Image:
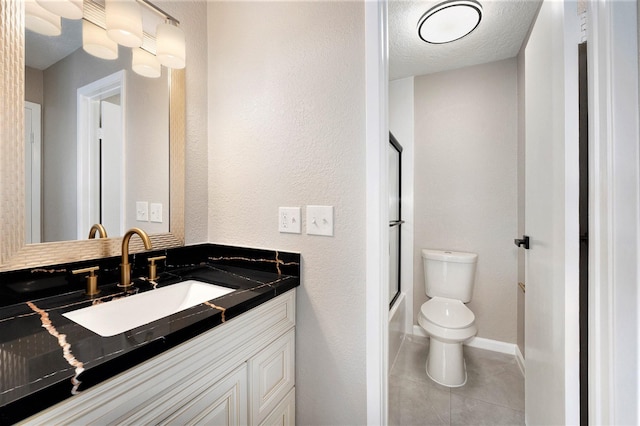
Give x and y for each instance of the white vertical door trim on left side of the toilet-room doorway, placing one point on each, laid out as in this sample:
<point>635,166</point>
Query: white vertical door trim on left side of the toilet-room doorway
<point>377,210</point>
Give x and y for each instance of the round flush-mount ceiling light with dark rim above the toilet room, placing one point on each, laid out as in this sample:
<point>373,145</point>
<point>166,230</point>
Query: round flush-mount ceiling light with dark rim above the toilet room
<point>449,21</point>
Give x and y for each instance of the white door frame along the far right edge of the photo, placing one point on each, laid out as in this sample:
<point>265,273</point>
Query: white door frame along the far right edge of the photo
<point>614,228</point>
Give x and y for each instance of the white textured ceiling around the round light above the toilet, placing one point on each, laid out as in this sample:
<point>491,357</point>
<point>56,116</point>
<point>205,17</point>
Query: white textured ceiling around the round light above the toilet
<point>504,25</point>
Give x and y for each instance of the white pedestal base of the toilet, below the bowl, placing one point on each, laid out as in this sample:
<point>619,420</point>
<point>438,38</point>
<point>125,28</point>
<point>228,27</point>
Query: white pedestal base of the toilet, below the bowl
<point>445,364</point>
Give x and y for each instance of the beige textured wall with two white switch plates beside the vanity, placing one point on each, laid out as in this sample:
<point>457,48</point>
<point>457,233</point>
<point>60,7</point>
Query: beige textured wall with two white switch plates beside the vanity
<point>287,128</point>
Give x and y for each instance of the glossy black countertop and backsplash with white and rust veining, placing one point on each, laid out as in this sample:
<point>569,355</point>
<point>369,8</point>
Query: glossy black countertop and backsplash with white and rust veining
<point>46,358</point>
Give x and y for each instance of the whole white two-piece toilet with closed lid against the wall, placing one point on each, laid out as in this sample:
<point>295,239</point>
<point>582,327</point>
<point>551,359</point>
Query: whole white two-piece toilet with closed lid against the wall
<point>448,280</point>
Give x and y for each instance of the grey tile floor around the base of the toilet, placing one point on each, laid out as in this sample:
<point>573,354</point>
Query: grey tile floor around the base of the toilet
<point>493,394</point>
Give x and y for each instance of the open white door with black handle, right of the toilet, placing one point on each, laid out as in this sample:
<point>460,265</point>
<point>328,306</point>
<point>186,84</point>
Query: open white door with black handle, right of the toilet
<point>551,217</point>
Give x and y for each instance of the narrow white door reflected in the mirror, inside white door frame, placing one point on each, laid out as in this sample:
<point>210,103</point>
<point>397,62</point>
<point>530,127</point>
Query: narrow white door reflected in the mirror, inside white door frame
<point>111,170</point>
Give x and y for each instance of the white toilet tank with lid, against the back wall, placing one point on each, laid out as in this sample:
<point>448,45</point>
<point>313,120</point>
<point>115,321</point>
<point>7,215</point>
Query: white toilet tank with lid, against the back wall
<point>449,273</point>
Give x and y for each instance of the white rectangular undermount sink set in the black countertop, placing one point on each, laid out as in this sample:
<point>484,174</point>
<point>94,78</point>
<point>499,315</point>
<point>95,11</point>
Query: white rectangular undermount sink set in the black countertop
<point>117,316</point>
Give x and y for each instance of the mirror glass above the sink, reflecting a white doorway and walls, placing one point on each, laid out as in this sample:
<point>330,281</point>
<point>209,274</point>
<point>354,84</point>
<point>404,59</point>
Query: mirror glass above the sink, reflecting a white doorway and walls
<point>97,135</point>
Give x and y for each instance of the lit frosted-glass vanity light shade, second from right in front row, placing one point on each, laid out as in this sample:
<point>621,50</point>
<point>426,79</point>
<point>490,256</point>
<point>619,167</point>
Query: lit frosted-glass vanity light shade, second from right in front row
<point>124,22</point>
